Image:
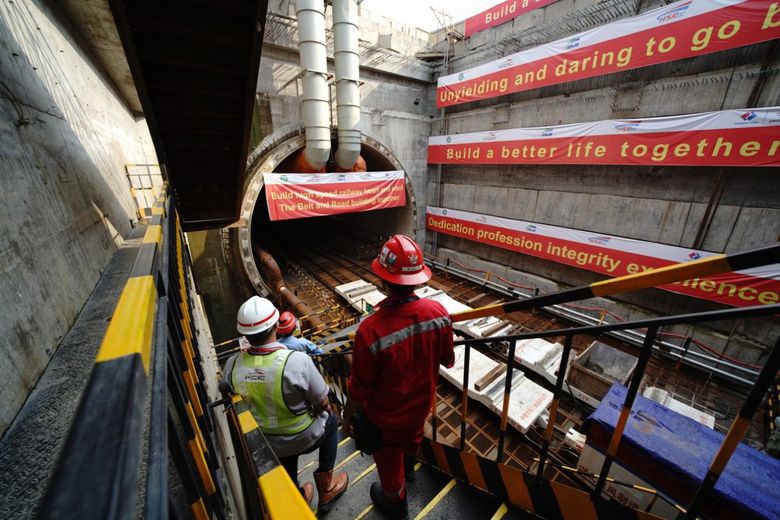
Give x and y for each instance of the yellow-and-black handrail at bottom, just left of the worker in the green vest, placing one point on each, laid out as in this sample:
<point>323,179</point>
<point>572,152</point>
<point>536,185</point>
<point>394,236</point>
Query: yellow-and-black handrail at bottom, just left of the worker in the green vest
<point>269,491</point>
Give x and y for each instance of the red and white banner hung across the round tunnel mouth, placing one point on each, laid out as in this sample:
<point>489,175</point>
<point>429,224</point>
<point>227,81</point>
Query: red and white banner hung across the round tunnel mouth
<point>296,195</point>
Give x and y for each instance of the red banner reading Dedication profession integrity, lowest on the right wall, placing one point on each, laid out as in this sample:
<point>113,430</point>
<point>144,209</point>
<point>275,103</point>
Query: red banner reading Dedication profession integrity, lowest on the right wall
<point>610,255</point>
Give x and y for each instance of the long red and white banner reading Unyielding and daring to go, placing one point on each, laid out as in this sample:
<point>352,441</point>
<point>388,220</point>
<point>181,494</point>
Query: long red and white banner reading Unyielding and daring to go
<point>674,32</point>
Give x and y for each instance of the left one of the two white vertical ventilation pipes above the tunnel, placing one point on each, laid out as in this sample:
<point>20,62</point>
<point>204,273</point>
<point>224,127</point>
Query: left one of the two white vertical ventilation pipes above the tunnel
<point>315,101</point>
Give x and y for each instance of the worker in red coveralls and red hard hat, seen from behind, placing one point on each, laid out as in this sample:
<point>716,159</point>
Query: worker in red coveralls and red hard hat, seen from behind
<point>396,359</point>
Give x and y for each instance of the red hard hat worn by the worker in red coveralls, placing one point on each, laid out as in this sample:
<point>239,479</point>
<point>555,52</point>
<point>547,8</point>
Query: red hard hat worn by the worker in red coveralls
<point>401,262</point>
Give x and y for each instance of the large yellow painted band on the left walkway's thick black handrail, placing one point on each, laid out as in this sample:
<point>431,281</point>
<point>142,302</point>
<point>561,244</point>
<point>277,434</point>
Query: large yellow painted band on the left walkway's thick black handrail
<point>130,330</point>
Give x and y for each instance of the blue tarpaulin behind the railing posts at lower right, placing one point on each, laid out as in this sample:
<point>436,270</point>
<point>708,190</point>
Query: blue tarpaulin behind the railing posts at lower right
<point>669,450</point>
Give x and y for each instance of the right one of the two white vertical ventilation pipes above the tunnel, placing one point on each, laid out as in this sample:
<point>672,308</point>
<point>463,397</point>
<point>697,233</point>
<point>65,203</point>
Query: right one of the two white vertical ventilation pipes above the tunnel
<point>347,81</point>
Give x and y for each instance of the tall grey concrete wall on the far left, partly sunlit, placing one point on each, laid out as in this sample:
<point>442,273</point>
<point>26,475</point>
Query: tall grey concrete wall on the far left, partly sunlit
<point>65,204</point>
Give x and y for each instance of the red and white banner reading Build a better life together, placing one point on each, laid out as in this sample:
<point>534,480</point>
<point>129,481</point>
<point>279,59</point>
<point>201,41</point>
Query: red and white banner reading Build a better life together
<point>727,138</point>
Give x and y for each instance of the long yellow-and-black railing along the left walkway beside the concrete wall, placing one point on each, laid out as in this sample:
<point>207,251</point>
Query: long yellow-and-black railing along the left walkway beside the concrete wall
<point>150,338</point>
